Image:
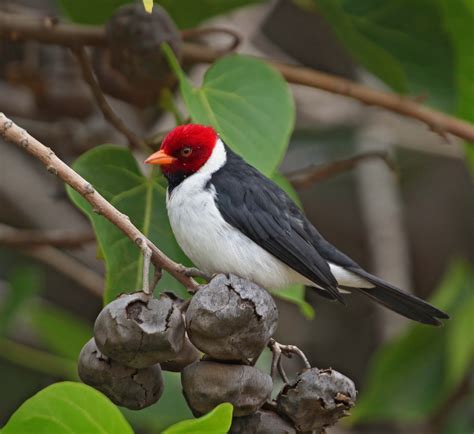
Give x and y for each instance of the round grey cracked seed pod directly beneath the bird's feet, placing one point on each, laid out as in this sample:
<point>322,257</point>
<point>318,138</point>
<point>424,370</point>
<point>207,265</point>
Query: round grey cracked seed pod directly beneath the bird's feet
<point>231,319</point>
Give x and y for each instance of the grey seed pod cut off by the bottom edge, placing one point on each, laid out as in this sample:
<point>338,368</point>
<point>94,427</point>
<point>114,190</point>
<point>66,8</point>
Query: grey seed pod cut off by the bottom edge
<point>261,422</point>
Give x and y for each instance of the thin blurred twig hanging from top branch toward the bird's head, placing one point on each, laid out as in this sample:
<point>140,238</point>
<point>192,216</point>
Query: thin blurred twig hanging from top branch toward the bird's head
<point>109,114</point>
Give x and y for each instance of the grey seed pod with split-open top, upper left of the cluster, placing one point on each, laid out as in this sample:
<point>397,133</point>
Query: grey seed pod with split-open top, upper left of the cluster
<point>138,330</point>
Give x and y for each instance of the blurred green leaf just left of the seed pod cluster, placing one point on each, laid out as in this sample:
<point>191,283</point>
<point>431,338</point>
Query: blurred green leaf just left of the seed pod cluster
<point>60,331</point>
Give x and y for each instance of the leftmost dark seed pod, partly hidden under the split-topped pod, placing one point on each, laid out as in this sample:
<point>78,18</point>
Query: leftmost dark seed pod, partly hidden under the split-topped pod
<point>125,386</point>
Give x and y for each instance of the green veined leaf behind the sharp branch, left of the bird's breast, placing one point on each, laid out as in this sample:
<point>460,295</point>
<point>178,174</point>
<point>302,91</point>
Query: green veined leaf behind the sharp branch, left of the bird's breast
<point>114,172</point>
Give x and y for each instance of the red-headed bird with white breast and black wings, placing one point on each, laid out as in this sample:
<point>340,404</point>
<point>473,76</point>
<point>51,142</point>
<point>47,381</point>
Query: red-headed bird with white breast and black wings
<point>228,217</point>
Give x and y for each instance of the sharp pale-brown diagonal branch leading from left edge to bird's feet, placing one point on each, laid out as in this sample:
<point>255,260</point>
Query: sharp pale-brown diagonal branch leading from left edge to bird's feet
<point>18,136</point>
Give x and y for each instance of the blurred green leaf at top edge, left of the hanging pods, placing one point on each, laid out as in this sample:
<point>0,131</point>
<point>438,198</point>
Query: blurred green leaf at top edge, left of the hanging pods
<point>90,11</point>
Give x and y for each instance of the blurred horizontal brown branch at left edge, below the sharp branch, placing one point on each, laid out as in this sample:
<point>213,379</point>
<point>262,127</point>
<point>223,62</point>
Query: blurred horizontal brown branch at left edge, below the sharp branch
<point>10,236</point>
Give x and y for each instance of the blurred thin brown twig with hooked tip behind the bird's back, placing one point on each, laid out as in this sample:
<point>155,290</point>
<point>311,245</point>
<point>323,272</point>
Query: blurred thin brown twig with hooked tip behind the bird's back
<point>302,179</point>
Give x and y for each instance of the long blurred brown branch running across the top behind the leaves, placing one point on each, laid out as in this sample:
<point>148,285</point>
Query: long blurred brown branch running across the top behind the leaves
<point>18,26</point>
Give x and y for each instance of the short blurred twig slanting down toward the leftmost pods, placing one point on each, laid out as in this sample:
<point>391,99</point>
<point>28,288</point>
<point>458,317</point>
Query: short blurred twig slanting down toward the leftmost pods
<point>67,265</point>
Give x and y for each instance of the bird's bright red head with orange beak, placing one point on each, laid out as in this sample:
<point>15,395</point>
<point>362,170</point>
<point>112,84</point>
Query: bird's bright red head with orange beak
<point>185,149</point>
